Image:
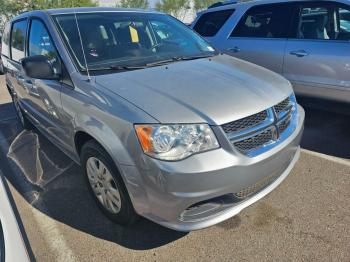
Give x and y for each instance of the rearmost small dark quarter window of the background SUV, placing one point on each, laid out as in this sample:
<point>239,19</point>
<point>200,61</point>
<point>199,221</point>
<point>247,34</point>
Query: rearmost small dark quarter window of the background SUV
<point>209,24</point>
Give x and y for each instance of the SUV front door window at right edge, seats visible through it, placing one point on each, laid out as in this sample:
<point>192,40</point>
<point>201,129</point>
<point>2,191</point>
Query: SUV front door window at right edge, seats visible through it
<point>324,22</point>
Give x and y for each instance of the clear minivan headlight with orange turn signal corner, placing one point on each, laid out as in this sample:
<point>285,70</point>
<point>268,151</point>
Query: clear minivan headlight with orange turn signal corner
<point>175,142</point>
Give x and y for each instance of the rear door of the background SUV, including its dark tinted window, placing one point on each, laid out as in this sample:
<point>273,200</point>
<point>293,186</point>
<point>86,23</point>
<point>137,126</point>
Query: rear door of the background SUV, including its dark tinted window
<point>260,36</point>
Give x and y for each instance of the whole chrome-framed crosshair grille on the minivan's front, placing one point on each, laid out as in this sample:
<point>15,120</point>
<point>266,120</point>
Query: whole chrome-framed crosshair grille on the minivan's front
<point>260,137</point>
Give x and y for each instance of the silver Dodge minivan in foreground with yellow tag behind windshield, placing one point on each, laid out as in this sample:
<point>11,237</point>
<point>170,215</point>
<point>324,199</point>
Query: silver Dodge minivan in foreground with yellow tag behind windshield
<point>163,125</point>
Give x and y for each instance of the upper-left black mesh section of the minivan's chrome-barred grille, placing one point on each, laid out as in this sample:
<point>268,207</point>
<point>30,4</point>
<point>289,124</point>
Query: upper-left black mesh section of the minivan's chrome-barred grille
<point>245,123</point>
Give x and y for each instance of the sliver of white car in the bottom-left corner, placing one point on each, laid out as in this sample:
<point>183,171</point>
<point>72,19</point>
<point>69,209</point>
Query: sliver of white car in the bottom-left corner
<point>12,247</point>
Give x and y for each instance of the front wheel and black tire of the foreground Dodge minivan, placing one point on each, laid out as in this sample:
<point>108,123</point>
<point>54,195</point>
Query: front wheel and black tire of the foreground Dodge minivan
<point>92,152</point>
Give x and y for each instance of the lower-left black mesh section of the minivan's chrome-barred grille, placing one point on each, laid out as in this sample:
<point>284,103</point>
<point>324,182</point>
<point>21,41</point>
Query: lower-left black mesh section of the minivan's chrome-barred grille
<point>255,142</point>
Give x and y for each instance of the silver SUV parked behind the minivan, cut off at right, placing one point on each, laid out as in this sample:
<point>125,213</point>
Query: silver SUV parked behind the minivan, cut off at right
<point>305,41</point>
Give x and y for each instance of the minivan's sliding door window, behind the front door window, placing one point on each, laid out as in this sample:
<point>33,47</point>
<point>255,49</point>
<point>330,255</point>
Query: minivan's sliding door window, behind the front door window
<point>18,37</point>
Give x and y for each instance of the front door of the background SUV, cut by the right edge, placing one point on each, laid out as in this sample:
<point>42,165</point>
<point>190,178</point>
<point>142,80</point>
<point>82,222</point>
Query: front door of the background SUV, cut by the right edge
<point>317,58</point>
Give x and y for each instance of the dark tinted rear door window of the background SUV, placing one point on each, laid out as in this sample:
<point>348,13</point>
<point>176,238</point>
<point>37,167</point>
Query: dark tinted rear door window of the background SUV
<point>266,21</point>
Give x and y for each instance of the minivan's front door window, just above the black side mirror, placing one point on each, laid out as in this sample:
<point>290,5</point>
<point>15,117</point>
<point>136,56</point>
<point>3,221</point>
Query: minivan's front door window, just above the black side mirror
<point>40,43</point>
